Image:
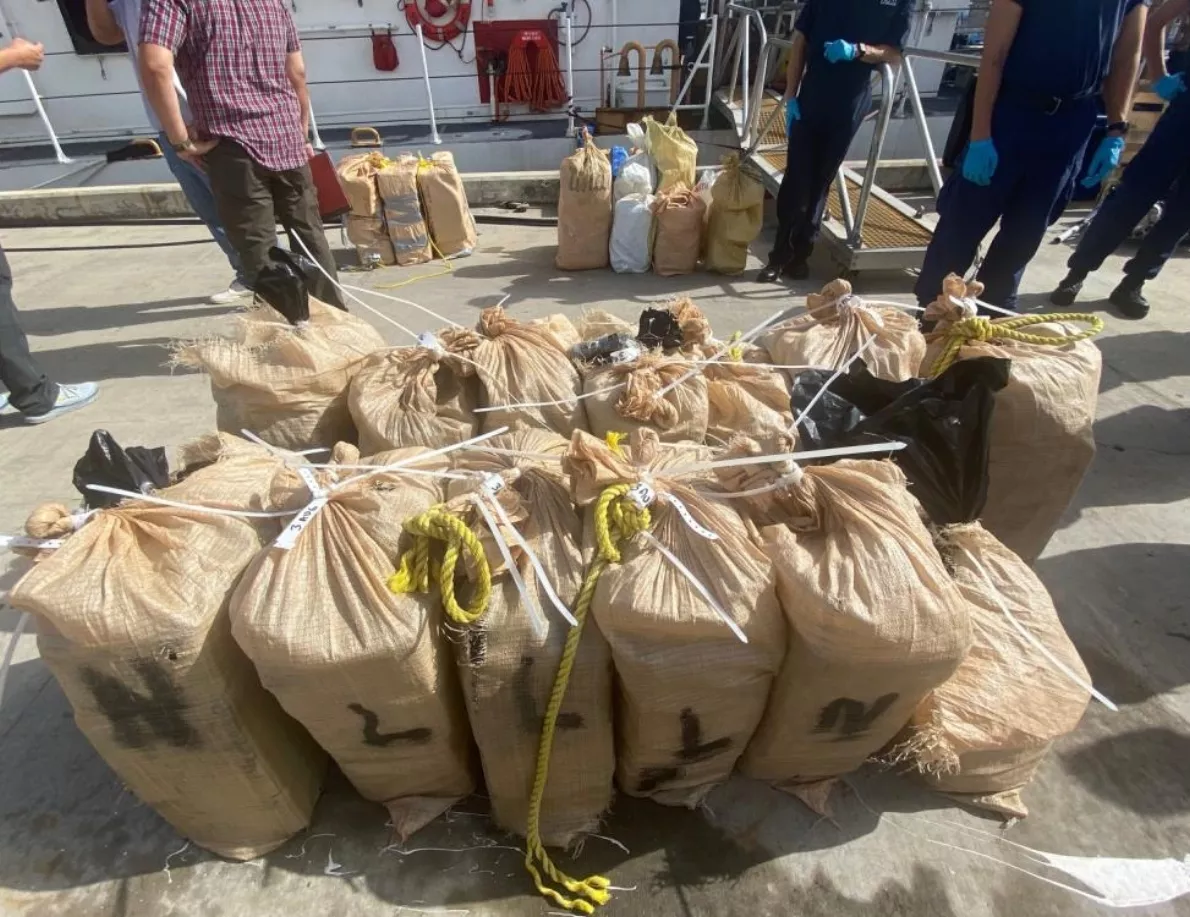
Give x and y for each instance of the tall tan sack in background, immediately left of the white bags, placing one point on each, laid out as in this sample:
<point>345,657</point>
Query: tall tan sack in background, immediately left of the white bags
<point>585,210</point>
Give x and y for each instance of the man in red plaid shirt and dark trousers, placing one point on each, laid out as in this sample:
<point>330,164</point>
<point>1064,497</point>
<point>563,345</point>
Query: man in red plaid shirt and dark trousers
<point>241,65</point>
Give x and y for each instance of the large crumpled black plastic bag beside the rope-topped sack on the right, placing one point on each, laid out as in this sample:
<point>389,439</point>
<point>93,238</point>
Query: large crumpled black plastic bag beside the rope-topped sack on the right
<point>945,423</point>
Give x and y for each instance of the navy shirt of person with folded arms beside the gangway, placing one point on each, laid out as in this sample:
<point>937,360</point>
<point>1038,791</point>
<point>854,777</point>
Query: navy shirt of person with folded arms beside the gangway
<point>843,91</point>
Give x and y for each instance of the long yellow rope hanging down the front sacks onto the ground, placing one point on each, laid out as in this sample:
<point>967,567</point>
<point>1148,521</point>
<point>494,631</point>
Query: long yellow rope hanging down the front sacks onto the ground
<point>617,520</point>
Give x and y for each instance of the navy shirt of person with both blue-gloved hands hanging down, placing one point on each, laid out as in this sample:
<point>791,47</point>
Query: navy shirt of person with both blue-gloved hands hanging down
<point>1063,48</point>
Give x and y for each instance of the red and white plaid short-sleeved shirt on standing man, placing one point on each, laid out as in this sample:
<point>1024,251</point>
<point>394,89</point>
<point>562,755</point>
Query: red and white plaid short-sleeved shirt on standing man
<point>231,59</point>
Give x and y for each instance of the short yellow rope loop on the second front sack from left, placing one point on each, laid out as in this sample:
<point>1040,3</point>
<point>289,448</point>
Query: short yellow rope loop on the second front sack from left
<point>415,573</point>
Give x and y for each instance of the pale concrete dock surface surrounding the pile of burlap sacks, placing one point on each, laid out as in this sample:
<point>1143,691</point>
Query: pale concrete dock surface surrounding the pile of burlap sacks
<point>103,304</point>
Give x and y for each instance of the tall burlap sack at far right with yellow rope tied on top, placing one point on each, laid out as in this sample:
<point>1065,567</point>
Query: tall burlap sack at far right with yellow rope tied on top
<point>1043,432</point>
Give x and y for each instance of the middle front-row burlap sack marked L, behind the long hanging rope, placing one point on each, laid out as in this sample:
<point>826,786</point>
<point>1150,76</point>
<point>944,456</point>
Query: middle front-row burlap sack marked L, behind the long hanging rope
<point>509,665</point>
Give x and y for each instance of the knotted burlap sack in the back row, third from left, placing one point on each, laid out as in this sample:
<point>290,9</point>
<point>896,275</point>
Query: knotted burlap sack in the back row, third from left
<point>529,363</point>
